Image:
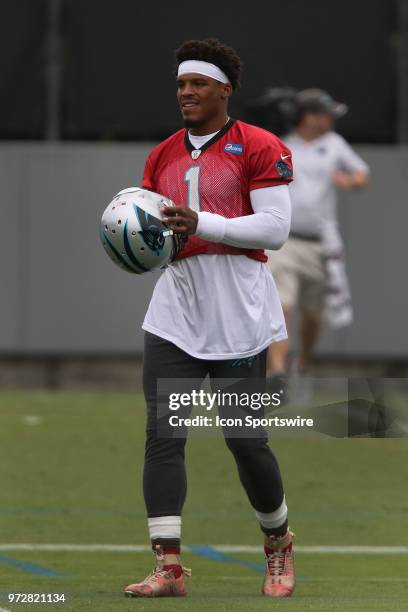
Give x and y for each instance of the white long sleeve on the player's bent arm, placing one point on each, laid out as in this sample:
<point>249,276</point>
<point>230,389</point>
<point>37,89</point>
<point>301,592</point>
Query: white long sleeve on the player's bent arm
<point>268,228</point>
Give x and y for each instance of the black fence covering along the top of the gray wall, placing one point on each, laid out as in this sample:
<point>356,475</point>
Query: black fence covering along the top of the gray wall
<point>87,69</point>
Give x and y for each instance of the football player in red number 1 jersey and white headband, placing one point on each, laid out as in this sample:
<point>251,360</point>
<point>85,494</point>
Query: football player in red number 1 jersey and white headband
<point>216,309</point>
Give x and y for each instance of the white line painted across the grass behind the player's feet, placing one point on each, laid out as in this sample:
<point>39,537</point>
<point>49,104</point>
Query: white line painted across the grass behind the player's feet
<point>125,548</point>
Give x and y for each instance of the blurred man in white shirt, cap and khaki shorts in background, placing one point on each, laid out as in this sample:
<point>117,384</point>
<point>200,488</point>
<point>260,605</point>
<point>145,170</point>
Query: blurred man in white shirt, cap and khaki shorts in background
<point>324,161</point>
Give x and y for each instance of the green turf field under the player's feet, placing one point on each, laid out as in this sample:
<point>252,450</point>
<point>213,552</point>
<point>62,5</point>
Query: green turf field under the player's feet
<point>70,473</point>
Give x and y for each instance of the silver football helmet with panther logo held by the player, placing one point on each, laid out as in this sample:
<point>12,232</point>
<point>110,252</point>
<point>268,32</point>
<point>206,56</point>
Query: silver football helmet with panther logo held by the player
<point>133,234</point>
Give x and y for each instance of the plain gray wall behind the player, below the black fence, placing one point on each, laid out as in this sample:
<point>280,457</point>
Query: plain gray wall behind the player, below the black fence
<point>60,293</point>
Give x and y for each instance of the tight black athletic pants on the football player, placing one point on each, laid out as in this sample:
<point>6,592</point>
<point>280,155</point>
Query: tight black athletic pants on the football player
<point>164,479</point>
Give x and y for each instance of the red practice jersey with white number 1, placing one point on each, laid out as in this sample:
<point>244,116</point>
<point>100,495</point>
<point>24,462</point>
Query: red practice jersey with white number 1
<point>218,177</point>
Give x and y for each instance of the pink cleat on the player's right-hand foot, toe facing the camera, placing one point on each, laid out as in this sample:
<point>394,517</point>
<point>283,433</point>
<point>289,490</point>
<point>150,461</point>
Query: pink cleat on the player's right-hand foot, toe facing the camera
<point>280,574</point>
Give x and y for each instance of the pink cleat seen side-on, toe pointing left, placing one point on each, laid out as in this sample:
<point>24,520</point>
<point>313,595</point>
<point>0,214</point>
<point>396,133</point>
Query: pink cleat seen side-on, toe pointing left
<point>160,582</point>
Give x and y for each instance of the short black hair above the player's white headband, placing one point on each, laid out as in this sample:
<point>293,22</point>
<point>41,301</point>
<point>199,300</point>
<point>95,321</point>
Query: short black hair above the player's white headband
<point>213,51</point>
